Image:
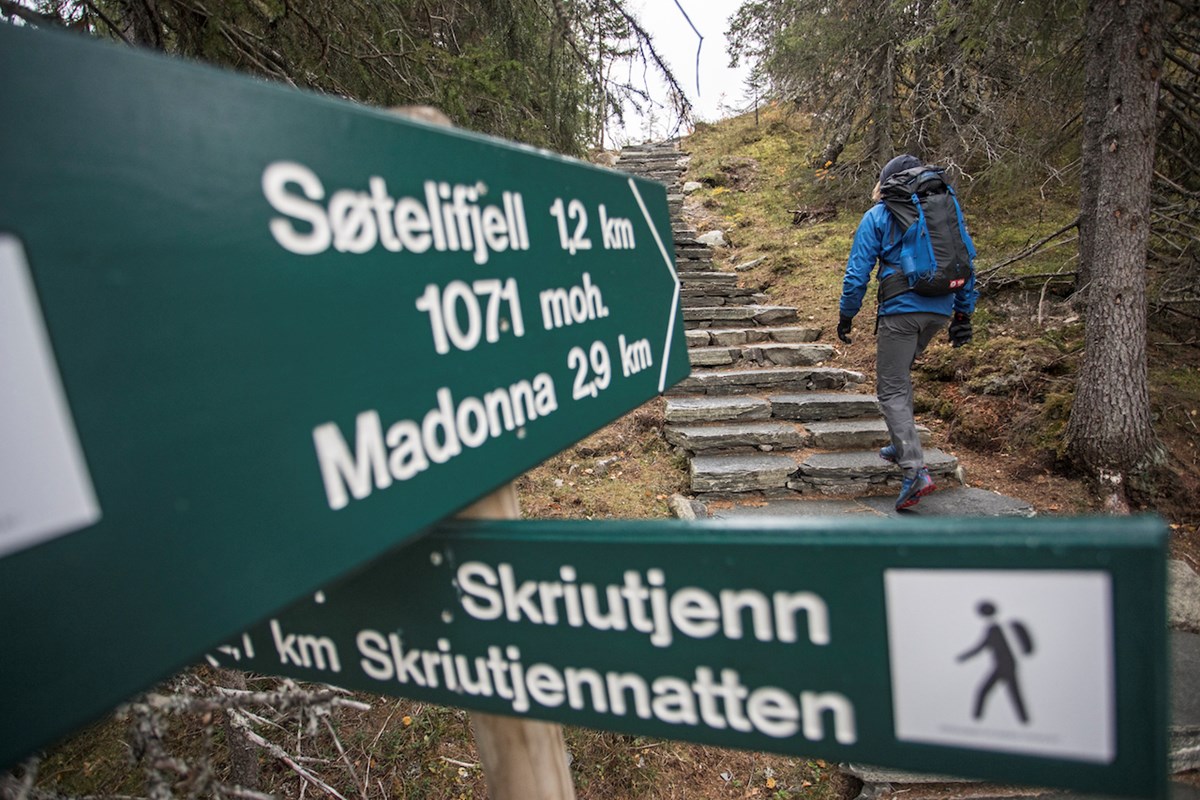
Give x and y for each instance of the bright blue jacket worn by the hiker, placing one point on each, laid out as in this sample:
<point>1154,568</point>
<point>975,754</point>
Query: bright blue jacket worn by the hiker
<point>878,242</point>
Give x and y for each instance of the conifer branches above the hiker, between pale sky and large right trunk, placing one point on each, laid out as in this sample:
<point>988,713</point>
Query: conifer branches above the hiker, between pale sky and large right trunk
<point>963,81</point>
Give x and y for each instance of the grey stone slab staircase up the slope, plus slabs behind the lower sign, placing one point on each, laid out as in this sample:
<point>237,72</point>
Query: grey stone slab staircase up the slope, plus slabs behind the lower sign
<point>771,430</point>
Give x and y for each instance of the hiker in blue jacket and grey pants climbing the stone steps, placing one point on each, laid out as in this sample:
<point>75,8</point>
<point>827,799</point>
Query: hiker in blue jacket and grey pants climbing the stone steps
<point>908,317</point>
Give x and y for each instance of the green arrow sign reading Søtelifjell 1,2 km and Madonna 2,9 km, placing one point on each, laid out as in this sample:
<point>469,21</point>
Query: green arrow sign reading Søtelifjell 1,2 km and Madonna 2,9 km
<point>255,338</point>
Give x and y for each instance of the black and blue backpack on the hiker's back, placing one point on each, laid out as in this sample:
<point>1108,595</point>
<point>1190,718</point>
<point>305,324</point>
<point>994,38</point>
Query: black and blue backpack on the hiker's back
<point>937,252</point>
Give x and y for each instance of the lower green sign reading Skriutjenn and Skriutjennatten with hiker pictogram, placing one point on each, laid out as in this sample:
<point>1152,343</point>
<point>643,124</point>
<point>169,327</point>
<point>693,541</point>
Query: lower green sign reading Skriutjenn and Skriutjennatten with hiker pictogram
<point>1006,649</point>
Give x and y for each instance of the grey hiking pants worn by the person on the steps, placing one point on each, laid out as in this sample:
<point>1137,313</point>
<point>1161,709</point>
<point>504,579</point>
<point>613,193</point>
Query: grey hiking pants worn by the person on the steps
<point>899,341</point>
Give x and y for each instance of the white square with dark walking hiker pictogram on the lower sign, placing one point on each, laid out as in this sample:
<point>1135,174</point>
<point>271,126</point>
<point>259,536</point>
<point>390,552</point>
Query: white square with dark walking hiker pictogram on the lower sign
<point>1006,661</point>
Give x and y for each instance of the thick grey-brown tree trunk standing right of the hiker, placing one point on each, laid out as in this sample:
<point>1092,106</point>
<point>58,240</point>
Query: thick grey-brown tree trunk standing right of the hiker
<point>1109,435</point>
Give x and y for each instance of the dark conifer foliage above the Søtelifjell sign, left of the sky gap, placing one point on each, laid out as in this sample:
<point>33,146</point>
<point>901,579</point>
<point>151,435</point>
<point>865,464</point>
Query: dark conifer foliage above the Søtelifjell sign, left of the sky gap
<point>547,73</point>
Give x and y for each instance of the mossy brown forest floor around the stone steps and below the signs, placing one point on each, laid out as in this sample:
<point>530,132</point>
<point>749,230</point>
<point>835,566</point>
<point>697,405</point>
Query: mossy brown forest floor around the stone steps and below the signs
<point>999,405</point>
